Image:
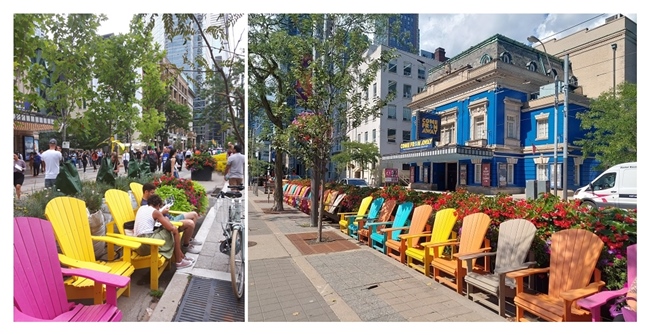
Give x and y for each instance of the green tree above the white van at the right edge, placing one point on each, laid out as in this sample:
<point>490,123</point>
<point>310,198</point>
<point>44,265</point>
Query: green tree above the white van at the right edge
<point>610,127</point>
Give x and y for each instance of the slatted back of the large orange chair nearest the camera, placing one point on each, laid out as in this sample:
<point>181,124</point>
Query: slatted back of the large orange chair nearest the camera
<point>574,253</point>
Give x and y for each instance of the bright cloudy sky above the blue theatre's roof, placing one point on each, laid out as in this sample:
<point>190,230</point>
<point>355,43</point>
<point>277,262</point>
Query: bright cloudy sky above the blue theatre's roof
<point>458,32</point>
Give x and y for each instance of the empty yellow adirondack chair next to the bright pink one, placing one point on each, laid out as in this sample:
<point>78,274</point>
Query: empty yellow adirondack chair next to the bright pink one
<point>69,220</point>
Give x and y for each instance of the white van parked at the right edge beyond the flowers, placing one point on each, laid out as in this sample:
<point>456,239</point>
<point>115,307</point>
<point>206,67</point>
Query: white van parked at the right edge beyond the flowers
<point>615,187</point>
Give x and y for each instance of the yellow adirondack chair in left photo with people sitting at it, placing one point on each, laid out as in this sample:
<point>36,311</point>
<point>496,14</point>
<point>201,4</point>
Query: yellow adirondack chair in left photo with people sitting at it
<point>119,204</point>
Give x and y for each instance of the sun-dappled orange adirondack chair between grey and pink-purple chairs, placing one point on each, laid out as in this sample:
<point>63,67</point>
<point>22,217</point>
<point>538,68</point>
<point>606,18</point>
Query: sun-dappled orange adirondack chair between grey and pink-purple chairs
<point>574,253</point>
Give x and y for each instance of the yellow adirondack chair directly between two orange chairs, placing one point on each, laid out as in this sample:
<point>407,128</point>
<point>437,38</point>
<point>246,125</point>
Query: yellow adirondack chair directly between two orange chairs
<point>418,256</point>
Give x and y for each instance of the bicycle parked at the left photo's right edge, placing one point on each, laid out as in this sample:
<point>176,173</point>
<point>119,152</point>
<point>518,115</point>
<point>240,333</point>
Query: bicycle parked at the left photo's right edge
<point>233,230</point>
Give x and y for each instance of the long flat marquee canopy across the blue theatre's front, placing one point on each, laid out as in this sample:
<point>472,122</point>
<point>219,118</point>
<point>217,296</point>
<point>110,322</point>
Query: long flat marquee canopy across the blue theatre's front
<point>440,154</point>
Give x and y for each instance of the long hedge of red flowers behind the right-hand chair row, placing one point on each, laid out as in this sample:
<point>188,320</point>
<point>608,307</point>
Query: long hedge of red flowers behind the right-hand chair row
<point>616,227</point>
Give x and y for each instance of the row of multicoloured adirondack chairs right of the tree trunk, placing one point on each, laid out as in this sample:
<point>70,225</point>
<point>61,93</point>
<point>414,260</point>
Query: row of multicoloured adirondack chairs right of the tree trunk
<point>574,280</point>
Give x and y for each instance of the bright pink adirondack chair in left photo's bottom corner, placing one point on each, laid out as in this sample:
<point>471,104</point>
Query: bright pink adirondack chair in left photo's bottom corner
<point>39,293</point>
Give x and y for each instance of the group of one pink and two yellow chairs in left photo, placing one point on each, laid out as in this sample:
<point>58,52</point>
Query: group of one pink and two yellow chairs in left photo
<point>43,293</point>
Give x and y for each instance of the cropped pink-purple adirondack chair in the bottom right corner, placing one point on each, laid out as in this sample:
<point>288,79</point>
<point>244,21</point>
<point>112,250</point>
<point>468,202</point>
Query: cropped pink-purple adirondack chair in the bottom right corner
<point>594,302</point>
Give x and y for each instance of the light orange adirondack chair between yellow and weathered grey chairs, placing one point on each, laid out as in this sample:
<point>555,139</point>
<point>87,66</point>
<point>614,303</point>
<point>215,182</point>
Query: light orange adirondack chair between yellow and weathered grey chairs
<point>472,236</point>
